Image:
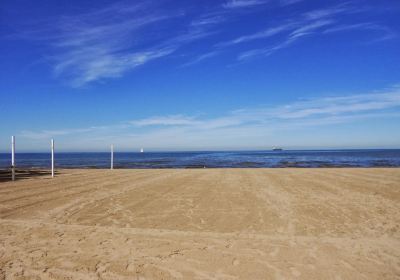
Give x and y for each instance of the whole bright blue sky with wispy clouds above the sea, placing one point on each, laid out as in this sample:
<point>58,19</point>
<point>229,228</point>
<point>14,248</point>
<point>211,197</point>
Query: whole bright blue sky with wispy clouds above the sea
<point>199,75</point>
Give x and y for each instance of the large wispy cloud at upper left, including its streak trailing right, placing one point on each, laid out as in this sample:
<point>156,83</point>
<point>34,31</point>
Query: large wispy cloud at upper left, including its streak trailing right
<point>109,42</point>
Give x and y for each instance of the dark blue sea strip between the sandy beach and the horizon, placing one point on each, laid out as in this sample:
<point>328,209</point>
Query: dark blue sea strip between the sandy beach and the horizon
<point>317,158</point>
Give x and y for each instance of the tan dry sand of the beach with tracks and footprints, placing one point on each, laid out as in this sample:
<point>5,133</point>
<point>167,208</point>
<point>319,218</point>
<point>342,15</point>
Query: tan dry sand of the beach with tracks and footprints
<point>202,224</point>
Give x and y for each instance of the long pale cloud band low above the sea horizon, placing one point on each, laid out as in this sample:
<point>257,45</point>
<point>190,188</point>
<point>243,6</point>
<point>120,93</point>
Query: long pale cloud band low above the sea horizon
<point>239,126</point>
